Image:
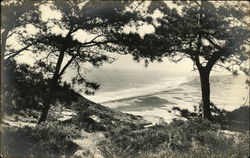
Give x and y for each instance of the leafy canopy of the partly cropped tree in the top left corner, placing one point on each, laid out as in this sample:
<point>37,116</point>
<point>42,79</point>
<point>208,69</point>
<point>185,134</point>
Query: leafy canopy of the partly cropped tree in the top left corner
<point>16,14</point>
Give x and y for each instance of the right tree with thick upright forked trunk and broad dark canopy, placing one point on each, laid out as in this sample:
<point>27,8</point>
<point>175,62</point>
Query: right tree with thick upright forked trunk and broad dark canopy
<point>212,34</point>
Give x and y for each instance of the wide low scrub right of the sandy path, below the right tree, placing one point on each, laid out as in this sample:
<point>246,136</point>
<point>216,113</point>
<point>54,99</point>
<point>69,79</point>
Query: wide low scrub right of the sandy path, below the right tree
<point>195,138</point>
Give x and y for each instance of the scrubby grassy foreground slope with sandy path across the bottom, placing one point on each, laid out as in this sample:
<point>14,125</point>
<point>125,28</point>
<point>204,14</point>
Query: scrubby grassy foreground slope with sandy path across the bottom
<point>112,137</point>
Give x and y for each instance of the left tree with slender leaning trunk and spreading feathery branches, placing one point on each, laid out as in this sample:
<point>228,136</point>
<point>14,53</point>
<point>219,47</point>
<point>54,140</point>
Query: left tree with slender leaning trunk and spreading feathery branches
<point>59,51</point>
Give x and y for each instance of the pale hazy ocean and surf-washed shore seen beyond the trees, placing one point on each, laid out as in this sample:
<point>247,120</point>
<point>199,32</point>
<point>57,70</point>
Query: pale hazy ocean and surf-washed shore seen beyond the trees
<point>152,94</point>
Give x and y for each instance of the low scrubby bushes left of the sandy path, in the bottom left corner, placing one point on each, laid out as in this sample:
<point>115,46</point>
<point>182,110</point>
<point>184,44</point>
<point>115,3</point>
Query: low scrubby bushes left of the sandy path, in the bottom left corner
<point>46,140</point>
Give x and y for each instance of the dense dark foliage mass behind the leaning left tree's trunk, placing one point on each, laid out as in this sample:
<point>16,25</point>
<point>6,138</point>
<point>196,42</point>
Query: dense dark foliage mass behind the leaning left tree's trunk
<point>25,88</point>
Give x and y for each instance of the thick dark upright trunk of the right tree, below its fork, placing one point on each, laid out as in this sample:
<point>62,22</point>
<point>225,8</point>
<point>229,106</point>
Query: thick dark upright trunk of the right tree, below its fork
<point>205,90</point>
